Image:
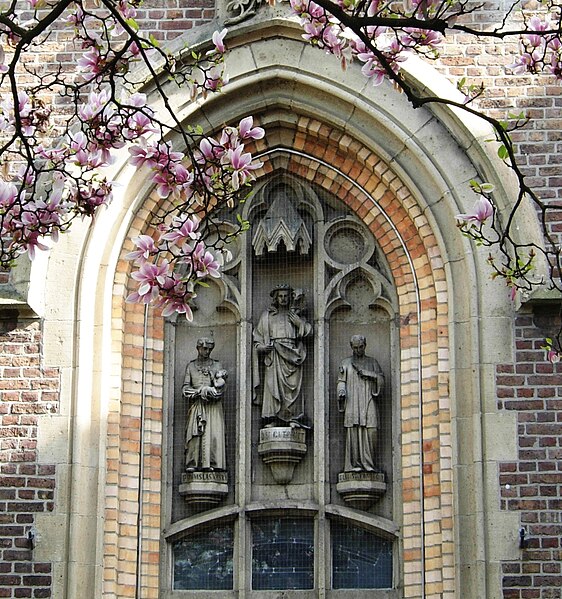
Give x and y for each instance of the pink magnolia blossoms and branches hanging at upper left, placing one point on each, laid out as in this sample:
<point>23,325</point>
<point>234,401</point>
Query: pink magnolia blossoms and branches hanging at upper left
<point>53,164</point>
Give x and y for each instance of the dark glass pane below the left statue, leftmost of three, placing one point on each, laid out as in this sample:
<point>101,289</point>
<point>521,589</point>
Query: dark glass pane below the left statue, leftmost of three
<point>204,560</point>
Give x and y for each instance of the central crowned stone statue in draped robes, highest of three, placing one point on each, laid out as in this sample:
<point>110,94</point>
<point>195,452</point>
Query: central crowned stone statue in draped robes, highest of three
<point>279,348</point>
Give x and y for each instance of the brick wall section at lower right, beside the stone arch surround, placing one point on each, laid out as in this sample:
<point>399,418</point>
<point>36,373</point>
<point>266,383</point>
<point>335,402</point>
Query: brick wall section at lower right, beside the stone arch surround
<point>532,485</point>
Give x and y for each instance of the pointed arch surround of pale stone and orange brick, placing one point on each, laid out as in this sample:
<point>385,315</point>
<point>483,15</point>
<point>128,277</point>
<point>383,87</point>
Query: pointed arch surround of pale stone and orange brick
<point>394,171</point>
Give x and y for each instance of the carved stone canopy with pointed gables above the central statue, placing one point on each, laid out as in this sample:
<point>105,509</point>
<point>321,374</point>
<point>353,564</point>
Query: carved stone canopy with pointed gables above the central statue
<point>281,223</point>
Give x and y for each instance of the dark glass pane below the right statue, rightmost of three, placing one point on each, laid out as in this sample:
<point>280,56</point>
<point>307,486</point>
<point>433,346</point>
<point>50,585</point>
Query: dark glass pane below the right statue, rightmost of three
<point>360,559</point>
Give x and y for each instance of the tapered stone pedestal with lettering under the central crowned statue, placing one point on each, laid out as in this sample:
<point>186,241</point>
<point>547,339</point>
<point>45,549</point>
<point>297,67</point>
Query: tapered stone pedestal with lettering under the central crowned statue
<point>282,448</point>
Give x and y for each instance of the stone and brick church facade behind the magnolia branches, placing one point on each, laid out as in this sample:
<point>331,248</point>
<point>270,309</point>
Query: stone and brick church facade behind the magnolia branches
<point>353,216</point>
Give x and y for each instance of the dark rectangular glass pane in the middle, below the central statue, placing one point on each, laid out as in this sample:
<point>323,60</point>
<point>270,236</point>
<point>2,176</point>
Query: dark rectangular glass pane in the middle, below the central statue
<point>282,553</point>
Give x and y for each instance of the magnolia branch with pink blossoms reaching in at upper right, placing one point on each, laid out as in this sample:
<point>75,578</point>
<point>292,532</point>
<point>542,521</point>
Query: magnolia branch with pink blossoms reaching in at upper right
<point>382,34</point>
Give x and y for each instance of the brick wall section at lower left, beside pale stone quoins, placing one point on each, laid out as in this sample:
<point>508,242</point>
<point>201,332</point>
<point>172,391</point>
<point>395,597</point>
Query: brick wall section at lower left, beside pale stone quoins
<point>27,390</point>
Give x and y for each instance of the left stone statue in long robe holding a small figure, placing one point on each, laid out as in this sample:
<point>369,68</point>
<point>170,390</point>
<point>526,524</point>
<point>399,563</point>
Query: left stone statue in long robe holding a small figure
<point>203,386</point>
